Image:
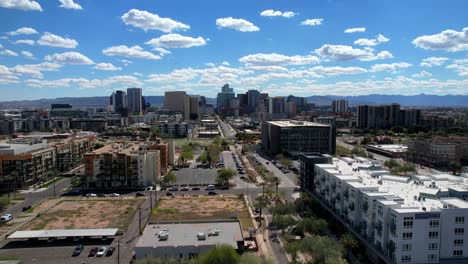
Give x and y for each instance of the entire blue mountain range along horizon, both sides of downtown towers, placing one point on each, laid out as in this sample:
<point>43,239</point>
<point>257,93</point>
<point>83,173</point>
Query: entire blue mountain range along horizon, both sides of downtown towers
<point>404,100</point>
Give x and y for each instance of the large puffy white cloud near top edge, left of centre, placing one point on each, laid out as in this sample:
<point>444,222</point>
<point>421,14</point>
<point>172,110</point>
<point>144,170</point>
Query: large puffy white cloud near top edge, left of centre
<point>146,21</point>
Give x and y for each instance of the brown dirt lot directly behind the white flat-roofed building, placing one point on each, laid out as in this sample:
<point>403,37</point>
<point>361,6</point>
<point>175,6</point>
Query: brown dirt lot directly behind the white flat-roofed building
<point>203,208</point>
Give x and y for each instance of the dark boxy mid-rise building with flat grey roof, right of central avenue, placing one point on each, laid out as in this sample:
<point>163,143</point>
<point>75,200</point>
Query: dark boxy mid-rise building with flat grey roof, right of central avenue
<point>295,137</point>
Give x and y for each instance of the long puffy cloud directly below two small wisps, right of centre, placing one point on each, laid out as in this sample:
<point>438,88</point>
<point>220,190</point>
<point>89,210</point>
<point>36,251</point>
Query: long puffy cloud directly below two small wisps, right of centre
<point>348,53</point>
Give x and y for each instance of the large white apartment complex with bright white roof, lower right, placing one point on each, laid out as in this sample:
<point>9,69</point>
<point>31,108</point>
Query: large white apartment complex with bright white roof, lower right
<point>418,219</point>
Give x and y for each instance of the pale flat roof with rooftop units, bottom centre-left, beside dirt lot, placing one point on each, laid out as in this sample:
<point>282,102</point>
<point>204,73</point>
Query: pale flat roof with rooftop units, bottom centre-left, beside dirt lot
<point>185,234</point>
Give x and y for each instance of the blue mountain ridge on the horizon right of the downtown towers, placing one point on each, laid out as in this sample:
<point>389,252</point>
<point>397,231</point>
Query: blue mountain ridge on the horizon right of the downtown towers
<point>404,100</point>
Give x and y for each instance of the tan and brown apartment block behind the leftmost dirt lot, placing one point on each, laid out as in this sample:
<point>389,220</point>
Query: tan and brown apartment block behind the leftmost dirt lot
<point>128,165</point>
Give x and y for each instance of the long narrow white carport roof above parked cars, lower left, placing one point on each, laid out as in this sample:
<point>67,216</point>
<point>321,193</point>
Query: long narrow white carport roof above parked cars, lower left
<point>63,233</point>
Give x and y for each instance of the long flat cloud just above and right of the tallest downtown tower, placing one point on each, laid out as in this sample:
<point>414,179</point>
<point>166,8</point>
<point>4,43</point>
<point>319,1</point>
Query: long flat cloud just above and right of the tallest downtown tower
<point>274,59</point>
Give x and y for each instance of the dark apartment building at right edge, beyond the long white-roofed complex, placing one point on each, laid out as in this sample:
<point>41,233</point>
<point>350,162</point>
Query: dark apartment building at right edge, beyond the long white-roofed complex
<point>436,151</point>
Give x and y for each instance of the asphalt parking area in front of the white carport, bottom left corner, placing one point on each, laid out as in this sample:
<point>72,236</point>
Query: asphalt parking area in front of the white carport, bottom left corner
<point>58,252</point>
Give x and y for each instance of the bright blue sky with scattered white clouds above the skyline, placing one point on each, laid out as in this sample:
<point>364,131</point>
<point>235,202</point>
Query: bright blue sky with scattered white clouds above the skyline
<point>58,48</point>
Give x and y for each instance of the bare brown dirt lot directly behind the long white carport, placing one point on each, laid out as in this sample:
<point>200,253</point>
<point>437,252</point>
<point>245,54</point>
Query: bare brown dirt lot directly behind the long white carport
<point>87,213</point>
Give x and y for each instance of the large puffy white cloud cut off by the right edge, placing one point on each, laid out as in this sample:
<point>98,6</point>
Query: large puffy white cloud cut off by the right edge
<point>449,40</point>
